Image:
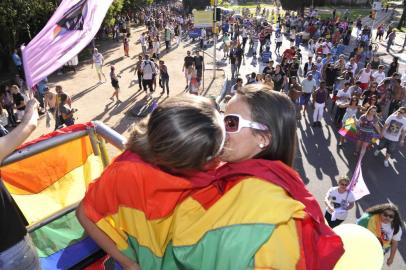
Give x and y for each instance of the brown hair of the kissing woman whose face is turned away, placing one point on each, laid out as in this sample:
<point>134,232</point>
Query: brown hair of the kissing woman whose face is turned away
<point>184,132</point>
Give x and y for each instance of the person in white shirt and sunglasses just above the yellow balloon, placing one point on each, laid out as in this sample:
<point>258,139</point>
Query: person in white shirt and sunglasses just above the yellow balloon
<point>338,201</point>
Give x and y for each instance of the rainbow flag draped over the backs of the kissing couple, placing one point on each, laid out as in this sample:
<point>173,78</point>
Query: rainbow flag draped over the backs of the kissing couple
<point>166,222</point>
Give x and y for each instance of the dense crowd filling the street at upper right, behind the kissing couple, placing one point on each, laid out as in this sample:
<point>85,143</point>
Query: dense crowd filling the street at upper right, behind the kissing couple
<point>357,86</point>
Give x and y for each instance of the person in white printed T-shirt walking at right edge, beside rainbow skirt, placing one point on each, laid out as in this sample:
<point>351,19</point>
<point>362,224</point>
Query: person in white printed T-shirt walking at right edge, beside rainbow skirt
<point>393,133</point>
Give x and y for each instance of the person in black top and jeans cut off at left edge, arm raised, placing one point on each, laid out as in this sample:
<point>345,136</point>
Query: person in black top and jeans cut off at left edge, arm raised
<point>16,250</point>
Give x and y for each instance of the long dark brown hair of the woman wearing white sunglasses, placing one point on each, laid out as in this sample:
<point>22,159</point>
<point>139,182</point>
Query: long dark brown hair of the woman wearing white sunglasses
<point>277,112</point>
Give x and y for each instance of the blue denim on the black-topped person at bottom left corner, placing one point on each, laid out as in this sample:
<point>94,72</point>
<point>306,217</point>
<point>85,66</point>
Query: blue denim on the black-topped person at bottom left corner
<point>21,256</point>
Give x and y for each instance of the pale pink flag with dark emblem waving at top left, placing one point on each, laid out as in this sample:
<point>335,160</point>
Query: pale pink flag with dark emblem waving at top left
<point>67,33</point>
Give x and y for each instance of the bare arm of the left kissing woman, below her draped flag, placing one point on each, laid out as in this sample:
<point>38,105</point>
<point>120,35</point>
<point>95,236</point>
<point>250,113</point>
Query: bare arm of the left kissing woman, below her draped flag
<point>104,241</point>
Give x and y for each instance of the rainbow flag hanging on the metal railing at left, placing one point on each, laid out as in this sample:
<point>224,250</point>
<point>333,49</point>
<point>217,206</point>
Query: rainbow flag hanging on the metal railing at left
<point>48,182</point>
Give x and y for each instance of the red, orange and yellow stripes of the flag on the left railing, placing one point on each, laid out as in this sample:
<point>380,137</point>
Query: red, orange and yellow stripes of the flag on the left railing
<point>49,181</point>
